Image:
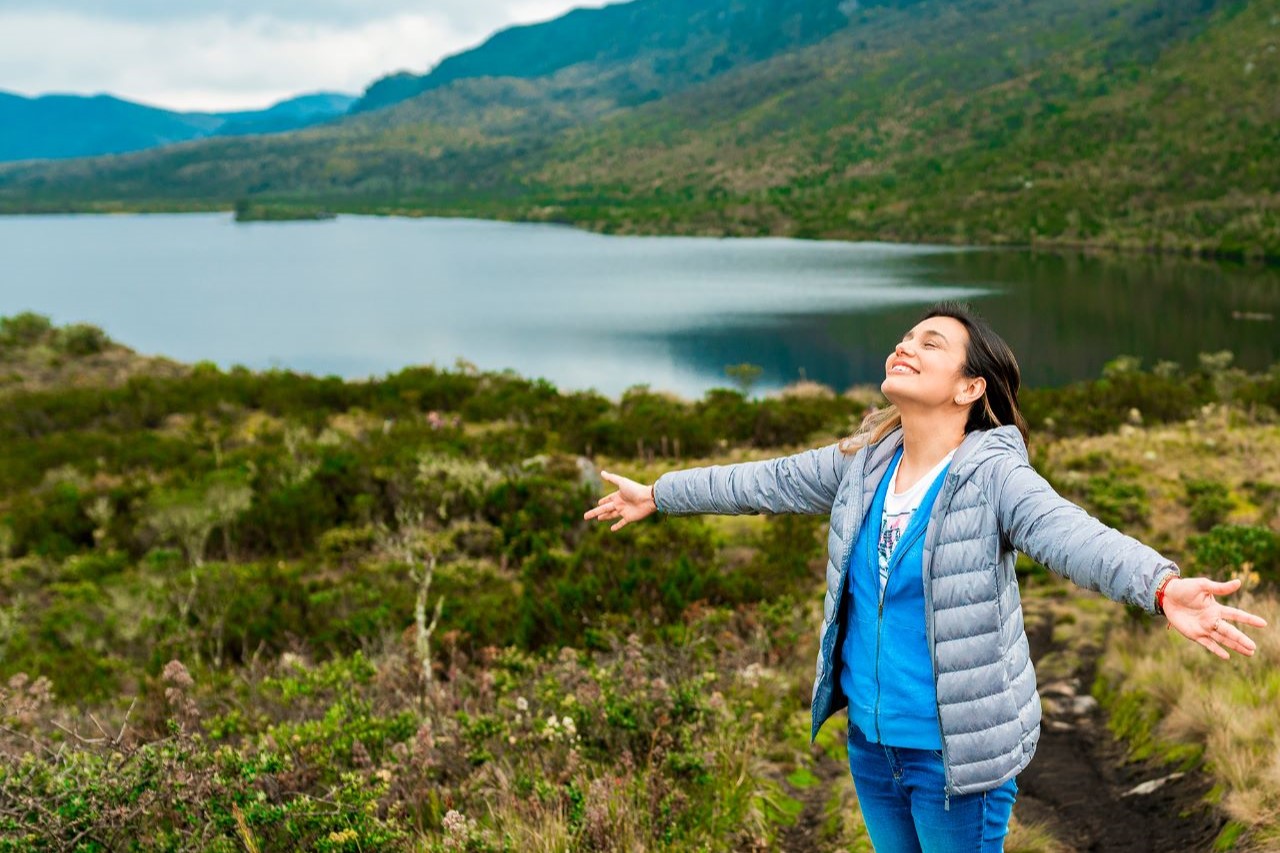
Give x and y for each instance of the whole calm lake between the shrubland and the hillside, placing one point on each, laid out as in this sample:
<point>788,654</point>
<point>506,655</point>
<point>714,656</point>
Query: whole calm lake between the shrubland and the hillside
<point>367,297</point>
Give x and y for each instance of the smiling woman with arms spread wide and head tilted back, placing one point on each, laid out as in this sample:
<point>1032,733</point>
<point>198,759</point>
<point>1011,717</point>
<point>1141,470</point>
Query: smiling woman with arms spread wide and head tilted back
<point>922,633</point>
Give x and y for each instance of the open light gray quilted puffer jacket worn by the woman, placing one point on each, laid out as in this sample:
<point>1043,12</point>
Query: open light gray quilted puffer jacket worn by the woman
<point>991,505</point>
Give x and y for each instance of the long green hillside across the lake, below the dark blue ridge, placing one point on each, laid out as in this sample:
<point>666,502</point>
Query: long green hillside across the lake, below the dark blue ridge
<point>1131,124</point>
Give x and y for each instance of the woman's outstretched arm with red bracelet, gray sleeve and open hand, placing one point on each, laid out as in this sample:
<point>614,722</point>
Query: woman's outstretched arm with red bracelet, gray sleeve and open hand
<point>1062,536</point>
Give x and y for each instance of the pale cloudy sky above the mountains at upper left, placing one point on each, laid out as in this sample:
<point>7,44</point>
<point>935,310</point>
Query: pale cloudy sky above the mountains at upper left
<point>239,54</point>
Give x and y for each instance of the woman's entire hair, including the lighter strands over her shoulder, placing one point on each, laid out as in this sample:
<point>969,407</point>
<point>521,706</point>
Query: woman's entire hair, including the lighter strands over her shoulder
<point>988,357</point>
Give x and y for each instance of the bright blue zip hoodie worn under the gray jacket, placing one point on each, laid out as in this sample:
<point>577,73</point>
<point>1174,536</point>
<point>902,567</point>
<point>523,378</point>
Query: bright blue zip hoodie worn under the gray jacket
<point>888,670</point>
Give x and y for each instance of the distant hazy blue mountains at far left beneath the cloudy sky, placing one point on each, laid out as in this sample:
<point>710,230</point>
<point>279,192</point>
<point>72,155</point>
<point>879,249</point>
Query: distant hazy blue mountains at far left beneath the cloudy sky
<point>72,126</point>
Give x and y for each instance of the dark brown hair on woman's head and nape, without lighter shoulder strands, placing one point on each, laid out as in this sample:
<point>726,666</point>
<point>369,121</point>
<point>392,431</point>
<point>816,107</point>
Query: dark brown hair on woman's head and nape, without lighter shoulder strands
<point>990,358</point>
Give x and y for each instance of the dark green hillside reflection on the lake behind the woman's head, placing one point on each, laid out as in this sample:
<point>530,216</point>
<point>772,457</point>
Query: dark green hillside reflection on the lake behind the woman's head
<point>1066,316</point>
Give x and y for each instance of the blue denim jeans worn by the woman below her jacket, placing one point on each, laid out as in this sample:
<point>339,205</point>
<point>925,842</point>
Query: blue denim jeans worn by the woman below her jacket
<point>904,808</point>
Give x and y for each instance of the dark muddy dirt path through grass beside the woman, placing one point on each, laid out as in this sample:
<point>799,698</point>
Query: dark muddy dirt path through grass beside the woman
<point>1080,787</point>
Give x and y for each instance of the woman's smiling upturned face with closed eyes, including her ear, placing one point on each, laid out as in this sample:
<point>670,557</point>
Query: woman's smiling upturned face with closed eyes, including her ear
<point>926,368</point>
